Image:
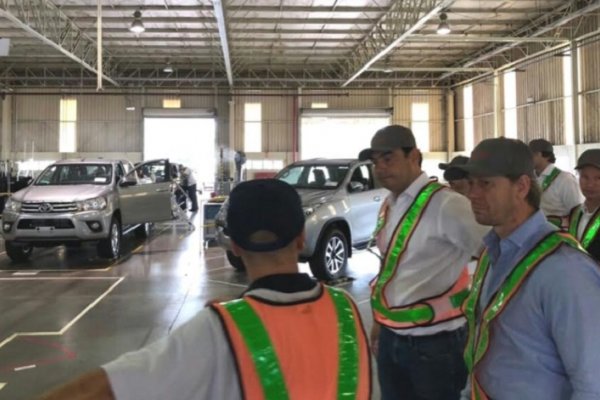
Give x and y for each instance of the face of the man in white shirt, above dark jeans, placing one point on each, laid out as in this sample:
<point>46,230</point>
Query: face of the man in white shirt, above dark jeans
<point>395,170</point>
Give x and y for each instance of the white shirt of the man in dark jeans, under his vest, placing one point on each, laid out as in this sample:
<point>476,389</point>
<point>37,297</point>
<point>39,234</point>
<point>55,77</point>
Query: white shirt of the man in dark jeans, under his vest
<point>444,241</point>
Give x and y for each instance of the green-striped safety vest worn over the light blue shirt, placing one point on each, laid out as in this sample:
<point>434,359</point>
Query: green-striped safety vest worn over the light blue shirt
<point>478,341</point>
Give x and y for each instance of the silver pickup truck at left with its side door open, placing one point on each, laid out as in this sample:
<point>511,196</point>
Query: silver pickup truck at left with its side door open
<point>73,201</point>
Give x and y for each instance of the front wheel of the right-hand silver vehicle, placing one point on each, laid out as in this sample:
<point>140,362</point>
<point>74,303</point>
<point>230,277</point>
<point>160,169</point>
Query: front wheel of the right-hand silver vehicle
<point>331,256</point>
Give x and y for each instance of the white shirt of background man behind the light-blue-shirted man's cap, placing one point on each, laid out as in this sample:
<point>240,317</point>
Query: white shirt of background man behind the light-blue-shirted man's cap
<point>562,195</point>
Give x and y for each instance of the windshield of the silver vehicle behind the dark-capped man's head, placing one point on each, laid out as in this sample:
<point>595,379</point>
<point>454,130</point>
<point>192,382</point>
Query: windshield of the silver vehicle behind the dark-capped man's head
<point>314,176</point>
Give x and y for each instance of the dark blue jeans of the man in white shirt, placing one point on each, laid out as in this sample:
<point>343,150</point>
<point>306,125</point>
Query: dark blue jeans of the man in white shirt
<point>421,367</point>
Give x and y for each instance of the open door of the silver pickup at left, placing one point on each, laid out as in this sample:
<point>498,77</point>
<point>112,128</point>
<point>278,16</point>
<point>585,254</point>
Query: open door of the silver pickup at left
<point>145,194</point>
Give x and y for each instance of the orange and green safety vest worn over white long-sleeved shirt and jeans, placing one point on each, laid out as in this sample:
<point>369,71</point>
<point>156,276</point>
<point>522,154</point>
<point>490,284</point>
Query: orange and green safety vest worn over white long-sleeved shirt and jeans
<point>426,312</point>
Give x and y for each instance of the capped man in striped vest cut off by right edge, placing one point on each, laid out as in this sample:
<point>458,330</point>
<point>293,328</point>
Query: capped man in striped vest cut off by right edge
<point>584,219</point>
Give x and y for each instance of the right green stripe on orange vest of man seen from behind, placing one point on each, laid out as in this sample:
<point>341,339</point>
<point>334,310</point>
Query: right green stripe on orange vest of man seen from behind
<point>348,362</point>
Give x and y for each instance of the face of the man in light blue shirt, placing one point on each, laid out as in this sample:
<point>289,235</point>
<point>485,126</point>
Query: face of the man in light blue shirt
<point>493,199</point>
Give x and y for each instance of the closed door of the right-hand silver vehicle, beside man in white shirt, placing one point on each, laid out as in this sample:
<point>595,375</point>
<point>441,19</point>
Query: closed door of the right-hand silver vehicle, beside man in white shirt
<point>365,203</point>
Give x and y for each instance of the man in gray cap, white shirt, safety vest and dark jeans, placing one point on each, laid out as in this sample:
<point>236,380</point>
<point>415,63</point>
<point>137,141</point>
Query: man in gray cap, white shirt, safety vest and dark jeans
<point>426,234</point>
